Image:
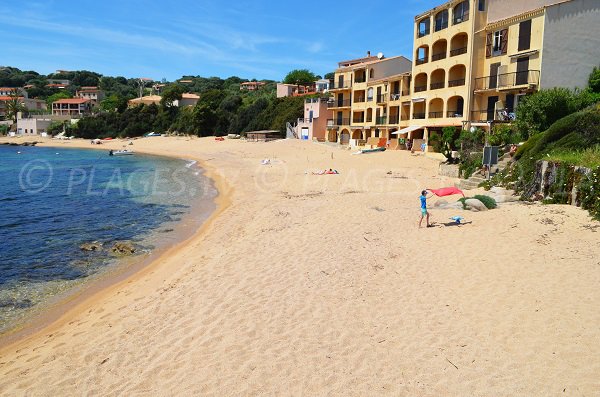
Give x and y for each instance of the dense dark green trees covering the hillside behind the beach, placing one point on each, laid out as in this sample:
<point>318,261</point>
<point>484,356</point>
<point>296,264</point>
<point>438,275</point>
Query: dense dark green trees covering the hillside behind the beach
<point>223,108</point>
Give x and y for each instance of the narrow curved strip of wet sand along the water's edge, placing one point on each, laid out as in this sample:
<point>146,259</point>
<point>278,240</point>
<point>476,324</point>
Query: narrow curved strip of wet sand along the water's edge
<point>69,304</point>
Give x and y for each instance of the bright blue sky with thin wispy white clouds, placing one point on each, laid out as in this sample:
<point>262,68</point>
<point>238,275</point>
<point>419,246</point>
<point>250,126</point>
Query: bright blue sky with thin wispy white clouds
<point>169,39</point>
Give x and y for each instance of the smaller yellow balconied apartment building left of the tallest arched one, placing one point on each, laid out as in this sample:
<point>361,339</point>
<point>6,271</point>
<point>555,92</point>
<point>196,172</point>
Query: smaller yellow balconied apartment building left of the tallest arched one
<point>362,90</point>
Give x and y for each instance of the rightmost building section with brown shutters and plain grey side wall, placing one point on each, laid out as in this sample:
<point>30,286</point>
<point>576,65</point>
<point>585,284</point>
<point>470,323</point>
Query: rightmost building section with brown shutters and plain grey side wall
<point>527,46</point>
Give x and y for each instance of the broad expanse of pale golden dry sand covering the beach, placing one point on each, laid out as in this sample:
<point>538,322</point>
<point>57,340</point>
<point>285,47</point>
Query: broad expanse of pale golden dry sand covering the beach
<point>324,285</point>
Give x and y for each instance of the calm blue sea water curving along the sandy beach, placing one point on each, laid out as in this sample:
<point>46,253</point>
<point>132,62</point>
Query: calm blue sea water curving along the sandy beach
<point>54,200</point>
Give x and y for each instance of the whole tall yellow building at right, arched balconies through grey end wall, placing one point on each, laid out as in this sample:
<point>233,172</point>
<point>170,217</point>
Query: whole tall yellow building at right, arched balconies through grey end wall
<point>475,59</point>
